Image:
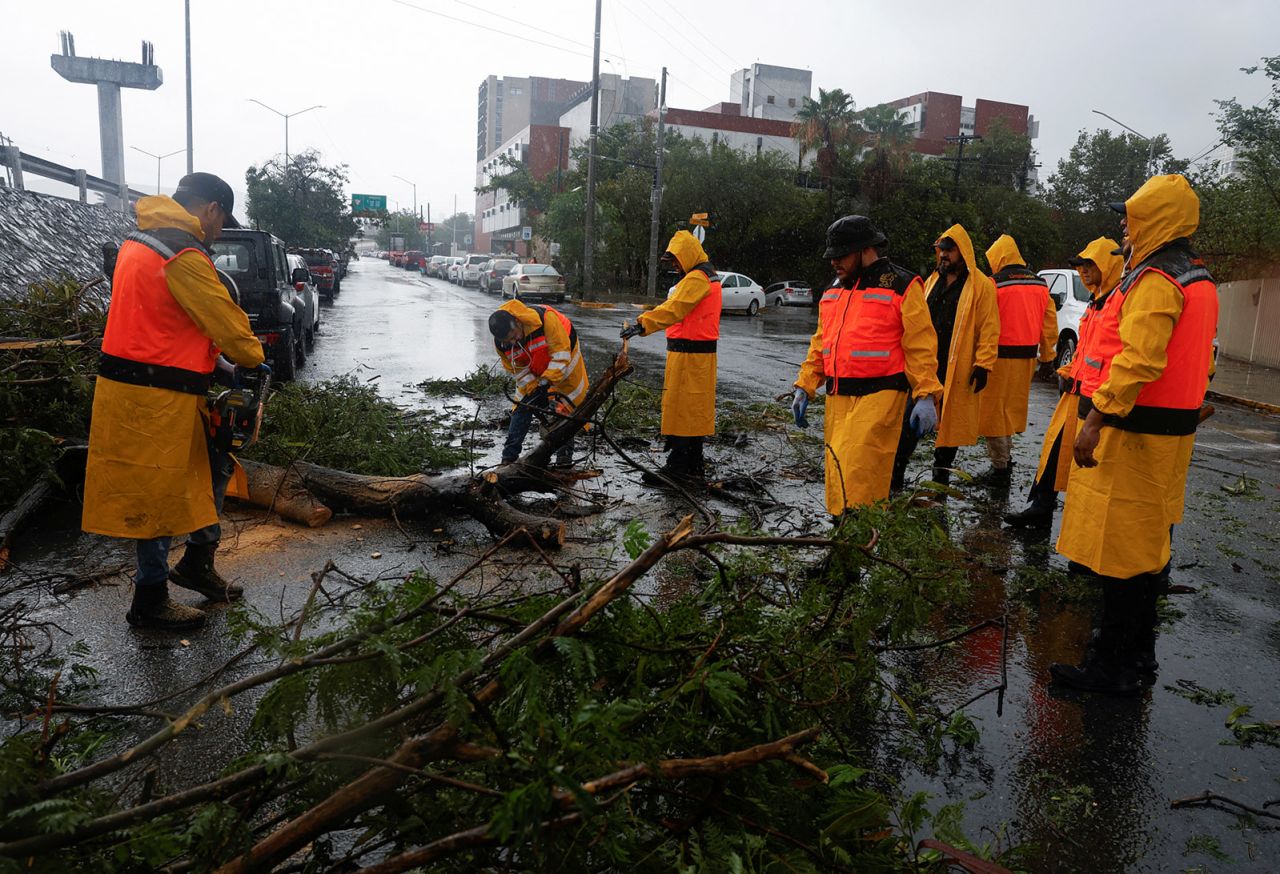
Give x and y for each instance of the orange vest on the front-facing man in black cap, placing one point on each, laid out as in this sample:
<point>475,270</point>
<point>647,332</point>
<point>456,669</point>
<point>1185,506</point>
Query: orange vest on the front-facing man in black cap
<point>862,332</point>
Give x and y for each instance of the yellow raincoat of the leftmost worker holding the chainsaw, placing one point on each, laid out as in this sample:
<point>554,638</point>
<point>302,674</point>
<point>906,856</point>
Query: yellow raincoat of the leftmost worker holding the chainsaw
<point>148,473</point>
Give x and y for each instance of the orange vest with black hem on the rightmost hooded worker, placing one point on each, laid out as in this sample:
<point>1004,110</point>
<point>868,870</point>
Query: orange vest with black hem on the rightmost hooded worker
<point>1169,405</point>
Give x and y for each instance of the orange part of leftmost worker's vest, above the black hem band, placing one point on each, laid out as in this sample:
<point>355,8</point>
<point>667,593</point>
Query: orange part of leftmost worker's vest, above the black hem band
<point>145,324</point>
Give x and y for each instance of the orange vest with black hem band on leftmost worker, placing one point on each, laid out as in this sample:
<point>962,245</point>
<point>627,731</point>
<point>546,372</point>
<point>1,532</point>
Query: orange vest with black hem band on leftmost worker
<point>150,340</point>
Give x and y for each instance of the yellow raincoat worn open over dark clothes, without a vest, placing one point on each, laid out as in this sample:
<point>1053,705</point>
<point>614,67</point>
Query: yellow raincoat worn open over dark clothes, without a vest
<point>975,344</point>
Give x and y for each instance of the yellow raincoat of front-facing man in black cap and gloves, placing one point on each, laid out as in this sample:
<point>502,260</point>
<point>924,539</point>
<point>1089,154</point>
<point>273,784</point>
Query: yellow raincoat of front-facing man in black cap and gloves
<point>861,432</point>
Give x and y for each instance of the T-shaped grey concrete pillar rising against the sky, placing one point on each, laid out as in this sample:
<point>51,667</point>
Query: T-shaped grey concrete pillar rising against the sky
<point>109,76</point>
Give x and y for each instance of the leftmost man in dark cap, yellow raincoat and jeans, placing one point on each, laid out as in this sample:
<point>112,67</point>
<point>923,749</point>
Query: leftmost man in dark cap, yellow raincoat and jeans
<point>153,470</point>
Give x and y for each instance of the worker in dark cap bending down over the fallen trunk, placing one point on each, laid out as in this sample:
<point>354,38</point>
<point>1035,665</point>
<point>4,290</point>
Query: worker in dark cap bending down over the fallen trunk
<point>540,346</point>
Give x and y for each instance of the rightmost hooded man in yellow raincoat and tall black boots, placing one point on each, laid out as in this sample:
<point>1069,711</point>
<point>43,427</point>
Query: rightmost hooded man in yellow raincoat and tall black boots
<point>1135,446</point>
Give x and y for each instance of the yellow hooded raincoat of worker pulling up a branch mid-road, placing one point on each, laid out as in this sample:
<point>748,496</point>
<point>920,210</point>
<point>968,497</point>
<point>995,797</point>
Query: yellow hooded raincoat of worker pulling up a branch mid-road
<point>689,381</point>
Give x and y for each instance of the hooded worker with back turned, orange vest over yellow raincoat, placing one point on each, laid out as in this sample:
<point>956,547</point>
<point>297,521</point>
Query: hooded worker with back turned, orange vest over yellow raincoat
<point>1028,326</point>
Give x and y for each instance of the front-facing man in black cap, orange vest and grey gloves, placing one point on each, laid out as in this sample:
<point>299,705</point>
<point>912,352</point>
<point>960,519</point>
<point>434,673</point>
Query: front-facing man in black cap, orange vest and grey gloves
<point>876,355</point>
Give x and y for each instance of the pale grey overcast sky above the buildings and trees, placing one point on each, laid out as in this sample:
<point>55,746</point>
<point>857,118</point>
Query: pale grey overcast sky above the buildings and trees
<point>399,80</point>
